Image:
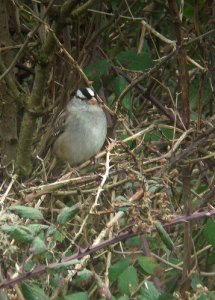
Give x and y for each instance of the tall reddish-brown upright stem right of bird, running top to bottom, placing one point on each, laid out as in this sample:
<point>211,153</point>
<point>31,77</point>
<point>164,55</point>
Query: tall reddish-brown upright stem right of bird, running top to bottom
<point>186,172</point>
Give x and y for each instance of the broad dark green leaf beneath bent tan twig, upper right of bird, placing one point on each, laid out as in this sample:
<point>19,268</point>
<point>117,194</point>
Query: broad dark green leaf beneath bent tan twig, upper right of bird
<point>133,61</point>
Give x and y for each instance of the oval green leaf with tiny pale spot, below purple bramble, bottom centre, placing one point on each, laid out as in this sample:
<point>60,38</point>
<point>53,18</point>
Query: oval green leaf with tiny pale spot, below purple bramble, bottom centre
<point>128,280</point>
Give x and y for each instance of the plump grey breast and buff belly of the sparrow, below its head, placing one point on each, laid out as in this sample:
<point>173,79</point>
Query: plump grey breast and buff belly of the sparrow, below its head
<point>84,135</point>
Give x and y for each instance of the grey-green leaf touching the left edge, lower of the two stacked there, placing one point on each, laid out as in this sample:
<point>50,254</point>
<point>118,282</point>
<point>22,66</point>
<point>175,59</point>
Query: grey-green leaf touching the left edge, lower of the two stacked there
<point>21,234</point>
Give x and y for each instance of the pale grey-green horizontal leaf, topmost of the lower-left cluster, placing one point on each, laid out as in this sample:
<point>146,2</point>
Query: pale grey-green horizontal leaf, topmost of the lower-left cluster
<point>26,212</point>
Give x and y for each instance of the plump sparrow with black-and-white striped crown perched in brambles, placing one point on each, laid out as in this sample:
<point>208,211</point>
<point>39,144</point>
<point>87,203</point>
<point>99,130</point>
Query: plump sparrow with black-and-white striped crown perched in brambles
<point>81,129</point>
